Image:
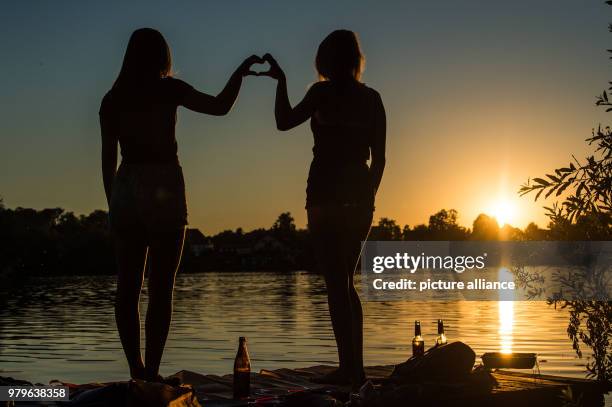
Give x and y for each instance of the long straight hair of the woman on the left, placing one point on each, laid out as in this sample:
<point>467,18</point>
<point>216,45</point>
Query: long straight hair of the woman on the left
<point>147,57</point>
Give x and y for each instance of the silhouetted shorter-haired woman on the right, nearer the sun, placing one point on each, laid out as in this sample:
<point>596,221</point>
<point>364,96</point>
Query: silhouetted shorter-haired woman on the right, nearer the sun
<point>348,123</point>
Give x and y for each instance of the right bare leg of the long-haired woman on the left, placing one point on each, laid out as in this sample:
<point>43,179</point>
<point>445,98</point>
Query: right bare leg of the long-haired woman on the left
<point>165,258</point>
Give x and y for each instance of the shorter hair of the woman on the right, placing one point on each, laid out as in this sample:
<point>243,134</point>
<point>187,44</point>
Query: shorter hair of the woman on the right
<point>339,57</point>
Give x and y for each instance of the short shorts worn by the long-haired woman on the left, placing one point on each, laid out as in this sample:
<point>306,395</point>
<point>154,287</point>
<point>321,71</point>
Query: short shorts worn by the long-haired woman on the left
<point>148,198</point>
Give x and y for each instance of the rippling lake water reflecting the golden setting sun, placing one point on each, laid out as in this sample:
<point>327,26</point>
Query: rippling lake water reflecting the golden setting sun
<point>63,328</point>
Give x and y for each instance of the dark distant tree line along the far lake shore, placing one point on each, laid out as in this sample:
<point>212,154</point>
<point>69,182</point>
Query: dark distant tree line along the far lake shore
<point>57,242</point>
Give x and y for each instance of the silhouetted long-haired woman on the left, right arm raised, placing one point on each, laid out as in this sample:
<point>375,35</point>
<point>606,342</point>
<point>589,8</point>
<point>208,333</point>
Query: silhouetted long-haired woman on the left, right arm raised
<point>146,195</point>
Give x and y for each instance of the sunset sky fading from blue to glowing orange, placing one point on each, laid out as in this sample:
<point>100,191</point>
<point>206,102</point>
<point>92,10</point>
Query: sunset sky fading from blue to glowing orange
<point>480,96</point>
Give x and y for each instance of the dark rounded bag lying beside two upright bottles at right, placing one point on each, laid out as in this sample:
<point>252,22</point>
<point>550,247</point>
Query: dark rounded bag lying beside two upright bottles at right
<point>453,361</point>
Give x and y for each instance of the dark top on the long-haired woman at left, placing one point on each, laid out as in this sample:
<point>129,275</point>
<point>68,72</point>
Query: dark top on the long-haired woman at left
<point>143,117</point>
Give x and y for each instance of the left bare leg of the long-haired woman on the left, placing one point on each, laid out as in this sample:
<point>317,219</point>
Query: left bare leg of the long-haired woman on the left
<point>131,253</point>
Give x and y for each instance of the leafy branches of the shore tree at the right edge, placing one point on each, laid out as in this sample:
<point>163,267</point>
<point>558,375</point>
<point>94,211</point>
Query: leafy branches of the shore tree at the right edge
<point>584,213</point>
